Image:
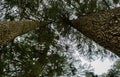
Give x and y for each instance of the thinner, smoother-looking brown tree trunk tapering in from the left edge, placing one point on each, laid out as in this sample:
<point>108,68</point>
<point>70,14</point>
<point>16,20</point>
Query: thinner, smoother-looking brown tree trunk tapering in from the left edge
<point>9,30</point>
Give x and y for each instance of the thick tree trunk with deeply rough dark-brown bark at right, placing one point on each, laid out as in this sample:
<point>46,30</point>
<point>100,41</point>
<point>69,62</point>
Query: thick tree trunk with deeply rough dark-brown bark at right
<point>102,27</point>
